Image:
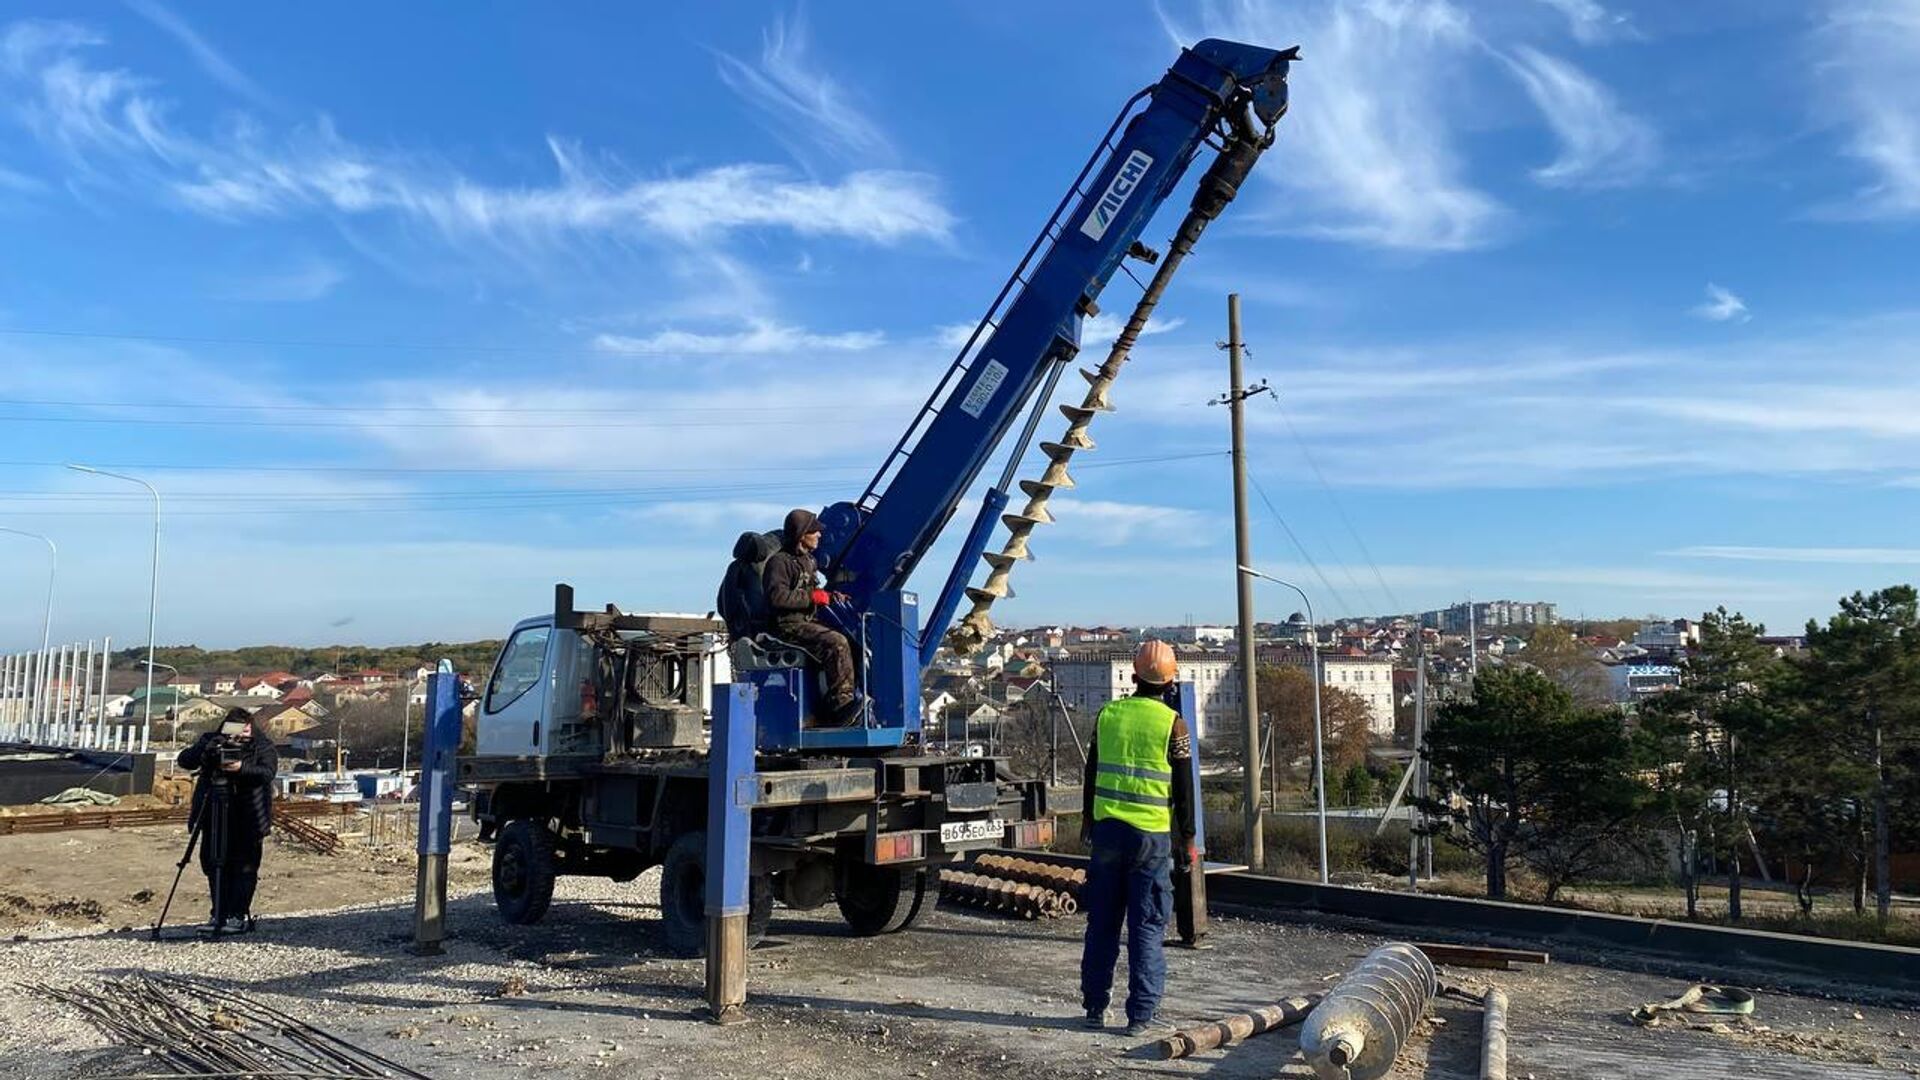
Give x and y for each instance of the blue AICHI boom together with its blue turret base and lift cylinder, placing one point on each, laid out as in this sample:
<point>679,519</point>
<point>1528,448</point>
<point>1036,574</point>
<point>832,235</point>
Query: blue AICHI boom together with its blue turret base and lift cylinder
<point>1218,95</point>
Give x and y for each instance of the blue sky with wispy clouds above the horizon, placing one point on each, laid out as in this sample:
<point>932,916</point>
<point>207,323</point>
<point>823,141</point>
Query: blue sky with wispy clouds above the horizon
<point>414,312</point>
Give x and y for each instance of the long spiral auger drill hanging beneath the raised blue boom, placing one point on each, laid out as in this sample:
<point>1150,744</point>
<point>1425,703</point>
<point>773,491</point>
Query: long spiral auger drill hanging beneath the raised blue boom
<point>1218,187</point>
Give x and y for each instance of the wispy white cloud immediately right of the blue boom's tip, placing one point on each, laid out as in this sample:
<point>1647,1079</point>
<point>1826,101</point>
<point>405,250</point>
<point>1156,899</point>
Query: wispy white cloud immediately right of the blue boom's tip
<point>1370,143</point>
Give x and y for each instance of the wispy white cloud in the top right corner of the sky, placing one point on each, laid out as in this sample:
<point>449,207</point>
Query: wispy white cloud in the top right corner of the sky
<point>1869,55</point>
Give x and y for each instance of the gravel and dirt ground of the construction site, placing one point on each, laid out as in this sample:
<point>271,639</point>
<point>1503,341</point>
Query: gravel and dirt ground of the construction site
<point>588,993</point>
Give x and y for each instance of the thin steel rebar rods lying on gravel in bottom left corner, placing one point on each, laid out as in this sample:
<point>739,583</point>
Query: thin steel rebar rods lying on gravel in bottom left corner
<point>199,1031</point>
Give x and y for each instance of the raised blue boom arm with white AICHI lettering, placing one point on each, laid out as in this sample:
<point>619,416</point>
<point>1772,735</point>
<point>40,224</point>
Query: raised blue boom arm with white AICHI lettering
<point>1220,95</point>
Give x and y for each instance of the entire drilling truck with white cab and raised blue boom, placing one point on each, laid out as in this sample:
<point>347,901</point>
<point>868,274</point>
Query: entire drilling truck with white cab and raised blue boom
<point>598,745</point>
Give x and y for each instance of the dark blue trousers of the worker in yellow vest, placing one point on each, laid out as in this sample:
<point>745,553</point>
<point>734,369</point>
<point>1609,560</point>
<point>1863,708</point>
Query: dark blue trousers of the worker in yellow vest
<point>1130,879</point>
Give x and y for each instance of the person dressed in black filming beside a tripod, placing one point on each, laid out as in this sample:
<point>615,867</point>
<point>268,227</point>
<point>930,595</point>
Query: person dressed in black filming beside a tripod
<point>243,764</point>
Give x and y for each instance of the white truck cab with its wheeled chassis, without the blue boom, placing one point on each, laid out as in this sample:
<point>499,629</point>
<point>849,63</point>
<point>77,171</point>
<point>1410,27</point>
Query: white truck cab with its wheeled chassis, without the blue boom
<point>592,758</point>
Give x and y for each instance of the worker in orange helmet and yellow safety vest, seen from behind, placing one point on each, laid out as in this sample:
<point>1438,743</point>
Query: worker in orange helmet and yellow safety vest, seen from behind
<point>1138,812</point>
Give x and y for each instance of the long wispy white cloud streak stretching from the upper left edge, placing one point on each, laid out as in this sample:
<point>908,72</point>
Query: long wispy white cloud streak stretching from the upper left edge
<point>110,122</point>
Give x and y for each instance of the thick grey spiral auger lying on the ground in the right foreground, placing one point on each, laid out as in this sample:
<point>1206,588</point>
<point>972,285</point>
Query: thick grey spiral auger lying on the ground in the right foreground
<point>1366,1019</point>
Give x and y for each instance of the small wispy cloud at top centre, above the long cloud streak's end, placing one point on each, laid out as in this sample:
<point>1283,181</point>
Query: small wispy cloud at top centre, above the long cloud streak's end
<point>802,105</point>
